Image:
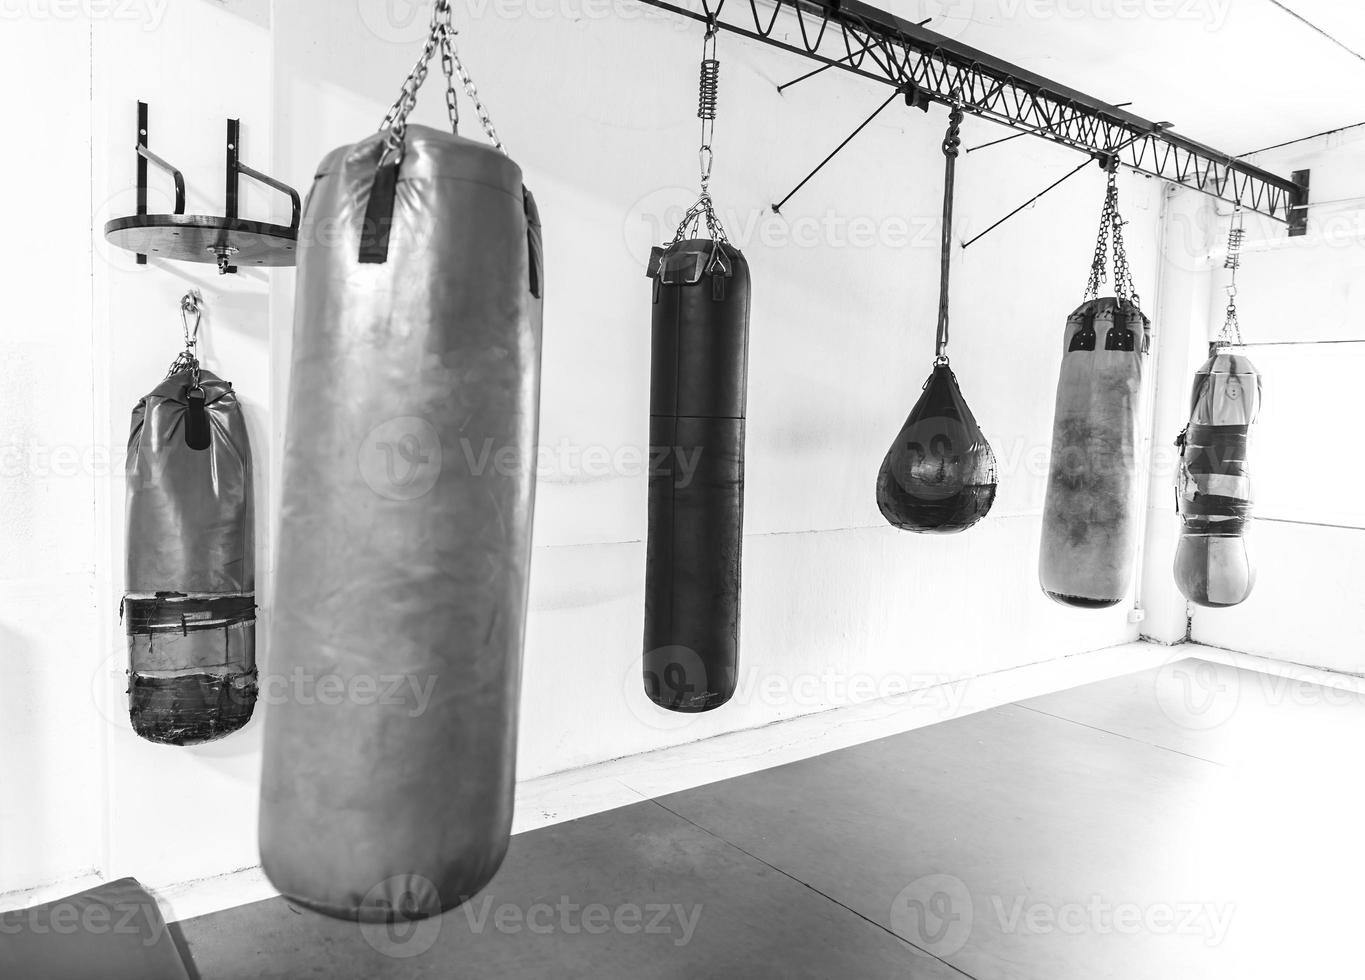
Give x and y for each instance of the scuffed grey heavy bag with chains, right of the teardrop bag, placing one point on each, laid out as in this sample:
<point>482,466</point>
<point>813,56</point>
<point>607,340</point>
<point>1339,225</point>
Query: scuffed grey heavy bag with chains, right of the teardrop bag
<point>1090,518</point>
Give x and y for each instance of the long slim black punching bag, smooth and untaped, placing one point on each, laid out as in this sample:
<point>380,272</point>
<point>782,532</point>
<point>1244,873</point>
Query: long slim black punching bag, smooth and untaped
<point>698,391</point>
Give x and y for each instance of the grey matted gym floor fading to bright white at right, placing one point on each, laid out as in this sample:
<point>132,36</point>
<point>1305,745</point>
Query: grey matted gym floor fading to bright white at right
<point>1196,821</point>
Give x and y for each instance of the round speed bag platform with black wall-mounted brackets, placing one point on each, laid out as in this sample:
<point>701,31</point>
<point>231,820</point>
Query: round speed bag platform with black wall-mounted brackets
<point>227,241</point>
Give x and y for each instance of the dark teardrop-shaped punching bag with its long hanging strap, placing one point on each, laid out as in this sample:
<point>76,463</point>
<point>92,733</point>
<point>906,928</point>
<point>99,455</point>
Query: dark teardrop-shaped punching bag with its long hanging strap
<point>940,474</point>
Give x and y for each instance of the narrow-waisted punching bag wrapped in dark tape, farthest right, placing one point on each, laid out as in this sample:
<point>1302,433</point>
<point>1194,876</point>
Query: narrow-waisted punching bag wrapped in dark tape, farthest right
<point>1214,491</point>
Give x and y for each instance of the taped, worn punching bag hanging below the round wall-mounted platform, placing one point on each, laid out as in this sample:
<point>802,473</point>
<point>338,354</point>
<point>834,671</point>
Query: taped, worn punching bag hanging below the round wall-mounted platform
<point>189,608</point>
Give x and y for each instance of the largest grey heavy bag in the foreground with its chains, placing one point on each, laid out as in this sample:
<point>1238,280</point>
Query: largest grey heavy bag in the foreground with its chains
<point>406,525</point>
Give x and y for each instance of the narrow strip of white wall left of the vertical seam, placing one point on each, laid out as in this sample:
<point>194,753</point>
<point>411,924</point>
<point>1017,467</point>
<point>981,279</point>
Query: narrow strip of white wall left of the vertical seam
<point>50,736</point>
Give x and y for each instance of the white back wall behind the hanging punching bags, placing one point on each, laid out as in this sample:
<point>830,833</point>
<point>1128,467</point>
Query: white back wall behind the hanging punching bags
<point>600,114</point>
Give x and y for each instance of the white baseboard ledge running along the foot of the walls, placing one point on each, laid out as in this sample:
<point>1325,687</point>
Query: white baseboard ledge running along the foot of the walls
<point>567,796</point>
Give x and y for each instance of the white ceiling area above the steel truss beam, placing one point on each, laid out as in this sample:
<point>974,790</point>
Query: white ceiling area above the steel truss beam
<point>1236,74</point>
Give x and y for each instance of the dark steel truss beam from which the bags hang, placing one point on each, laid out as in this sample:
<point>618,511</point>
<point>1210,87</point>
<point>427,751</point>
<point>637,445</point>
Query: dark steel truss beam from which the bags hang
<point>855,38</point>
